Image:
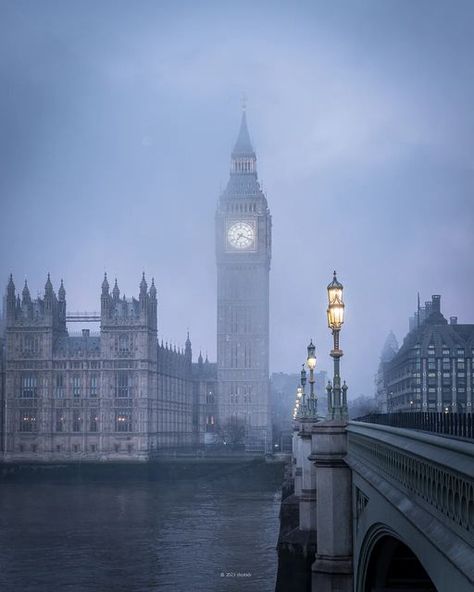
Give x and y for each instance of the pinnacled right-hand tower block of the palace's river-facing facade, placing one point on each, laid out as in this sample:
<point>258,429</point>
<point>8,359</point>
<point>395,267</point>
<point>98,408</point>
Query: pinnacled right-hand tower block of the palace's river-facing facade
<point>128,351</point>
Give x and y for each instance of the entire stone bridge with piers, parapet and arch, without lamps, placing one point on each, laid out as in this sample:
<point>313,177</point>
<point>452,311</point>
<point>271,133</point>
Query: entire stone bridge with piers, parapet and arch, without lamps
<point>373,507</point>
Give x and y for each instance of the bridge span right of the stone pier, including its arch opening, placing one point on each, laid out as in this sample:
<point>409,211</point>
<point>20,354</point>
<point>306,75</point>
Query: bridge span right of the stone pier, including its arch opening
<point>414,490</point>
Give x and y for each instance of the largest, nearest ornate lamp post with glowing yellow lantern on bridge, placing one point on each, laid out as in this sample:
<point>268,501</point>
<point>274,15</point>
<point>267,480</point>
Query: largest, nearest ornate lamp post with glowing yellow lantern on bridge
<point>337,395</point>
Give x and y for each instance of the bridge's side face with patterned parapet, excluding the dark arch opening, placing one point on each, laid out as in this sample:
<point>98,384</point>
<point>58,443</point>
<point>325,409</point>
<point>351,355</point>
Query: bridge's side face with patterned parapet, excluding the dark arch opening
<point>429,480</point>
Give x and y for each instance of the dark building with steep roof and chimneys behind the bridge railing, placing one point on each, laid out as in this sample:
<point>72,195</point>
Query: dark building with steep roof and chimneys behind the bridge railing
<point>433,369</point>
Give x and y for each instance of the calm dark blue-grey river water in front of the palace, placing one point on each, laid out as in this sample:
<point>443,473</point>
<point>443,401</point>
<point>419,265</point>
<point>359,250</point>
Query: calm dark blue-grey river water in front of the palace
<point>131,536</point>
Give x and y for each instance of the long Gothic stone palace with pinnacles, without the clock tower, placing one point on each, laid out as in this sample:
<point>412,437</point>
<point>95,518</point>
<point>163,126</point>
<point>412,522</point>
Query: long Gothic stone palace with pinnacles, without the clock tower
<point>118,395</point>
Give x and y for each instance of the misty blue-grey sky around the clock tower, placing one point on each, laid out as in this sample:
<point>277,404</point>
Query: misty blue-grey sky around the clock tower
<point>116,124</point>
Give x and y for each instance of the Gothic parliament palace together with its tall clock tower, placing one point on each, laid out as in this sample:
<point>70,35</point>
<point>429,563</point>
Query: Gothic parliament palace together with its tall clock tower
<point>122,394</point>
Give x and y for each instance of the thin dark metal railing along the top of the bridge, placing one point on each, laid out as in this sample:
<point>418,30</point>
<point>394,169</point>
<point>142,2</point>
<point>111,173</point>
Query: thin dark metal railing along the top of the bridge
<point>459,425</point>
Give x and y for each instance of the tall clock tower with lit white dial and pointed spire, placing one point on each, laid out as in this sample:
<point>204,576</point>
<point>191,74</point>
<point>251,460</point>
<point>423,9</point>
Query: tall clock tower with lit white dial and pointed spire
<point>243,252</point>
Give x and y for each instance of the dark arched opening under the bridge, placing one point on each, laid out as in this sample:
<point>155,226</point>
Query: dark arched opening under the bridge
<point>388,563</point>
